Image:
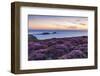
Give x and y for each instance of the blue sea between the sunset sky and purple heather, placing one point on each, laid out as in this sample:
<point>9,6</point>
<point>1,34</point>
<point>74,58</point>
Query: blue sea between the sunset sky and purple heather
<point>57,33</point>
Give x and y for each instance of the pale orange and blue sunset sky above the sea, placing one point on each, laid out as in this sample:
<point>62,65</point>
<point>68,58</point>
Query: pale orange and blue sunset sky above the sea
<point>47,22</point>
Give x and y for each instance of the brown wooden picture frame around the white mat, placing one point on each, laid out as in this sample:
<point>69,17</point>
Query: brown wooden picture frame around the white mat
<point>15,37</point>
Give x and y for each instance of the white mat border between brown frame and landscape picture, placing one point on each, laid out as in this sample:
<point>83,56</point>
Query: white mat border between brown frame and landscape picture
<point>25,64</point>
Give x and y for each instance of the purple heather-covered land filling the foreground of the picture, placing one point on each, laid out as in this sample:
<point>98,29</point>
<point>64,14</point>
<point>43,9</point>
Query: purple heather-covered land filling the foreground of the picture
<point>58,48</point>
